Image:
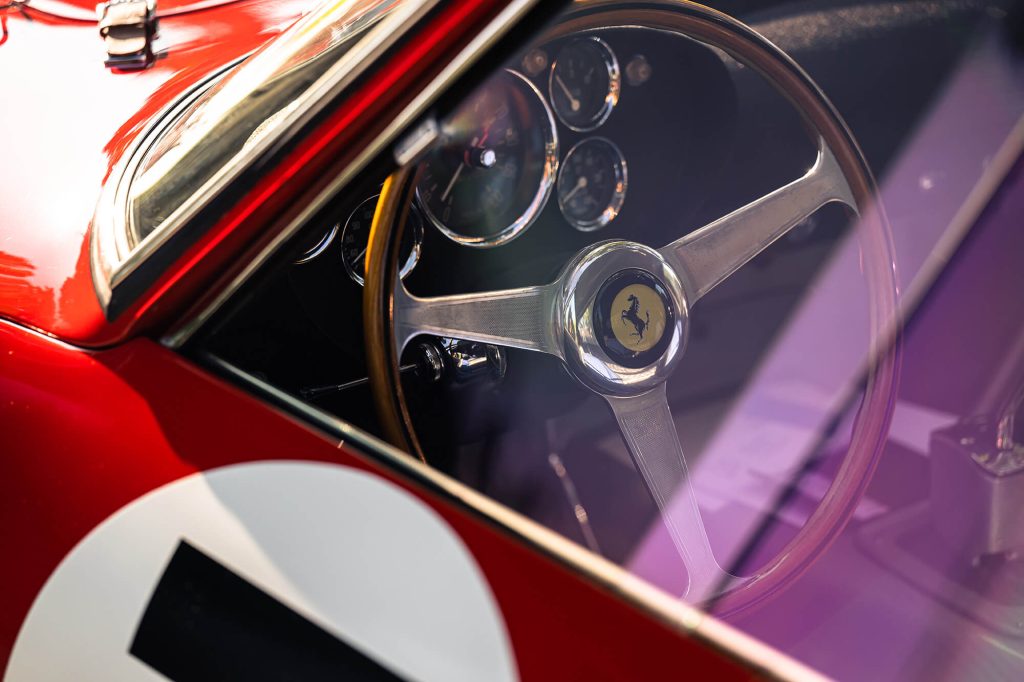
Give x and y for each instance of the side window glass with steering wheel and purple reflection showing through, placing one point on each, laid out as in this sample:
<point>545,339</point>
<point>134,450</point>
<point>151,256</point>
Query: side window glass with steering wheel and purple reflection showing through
<point>735,308</point>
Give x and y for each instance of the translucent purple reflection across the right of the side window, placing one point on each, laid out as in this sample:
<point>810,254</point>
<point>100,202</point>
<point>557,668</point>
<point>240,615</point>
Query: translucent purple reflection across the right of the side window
<point>891,600</point>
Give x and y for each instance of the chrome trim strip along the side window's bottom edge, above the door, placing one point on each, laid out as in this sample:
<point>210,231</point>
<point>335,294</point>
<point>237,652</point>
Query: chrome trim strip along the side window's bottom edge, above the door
<point>668,610</point>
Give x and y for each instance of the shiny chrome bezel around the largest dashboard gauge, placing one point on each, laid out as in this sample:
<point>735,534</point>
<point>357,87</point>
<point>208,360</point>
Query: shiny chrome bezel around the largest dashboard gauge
<point>521,225</point>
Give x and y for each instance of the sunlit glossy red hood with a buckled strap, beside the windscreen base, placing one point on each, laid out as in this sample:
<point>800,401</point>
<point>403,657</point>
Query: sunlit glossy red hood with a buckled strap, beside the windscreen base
<point>67,118</point>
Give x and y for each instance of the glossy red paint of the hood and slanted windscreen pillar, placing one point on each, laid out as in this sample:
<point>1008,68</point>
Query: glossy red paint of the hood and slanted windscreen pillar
<point>46,280</point>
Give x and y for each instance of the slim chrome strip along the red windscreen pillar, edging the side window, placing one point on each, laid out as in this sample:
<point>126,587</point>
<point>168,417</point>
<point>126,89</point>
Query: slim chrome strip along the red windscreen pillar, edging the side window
<point>482,44</point>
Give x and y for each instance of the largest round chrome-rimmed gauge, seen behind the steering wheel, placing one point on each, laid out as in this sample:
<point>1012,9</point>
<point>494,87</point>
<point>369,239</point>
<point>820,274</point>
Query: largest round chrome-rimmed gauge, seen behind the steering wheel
<point>492,173</point>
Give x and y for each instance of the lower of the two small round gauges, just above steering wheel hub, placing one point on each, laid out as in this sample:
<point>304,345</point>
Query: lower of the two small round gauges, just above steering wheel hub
<point>592,184</point>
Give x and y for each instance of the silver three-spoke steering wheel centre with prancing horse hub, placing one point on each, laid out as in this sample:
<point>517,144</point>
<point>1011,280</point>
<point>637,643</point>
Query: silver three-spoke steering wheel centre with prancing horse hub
<point>618,318</point>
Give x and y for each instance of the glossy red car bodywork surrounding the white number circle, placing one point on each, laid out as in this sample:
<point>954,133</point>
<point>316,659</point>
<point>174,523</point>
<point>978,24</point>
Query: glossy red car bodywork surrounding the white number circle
<point>94,414</point>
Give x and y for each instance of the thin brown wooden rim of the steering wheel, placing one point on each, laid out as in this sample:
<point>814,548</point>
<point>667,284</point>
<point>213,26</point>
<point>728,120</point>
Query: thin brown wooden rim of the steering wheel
<point>873,419</point>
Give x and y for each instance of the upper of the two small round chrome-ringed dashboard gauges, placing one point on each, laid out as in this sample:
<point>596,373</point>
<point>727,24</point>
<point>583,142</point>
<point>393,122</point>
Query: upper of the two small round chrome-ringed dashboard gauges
<point>585,83</point>
